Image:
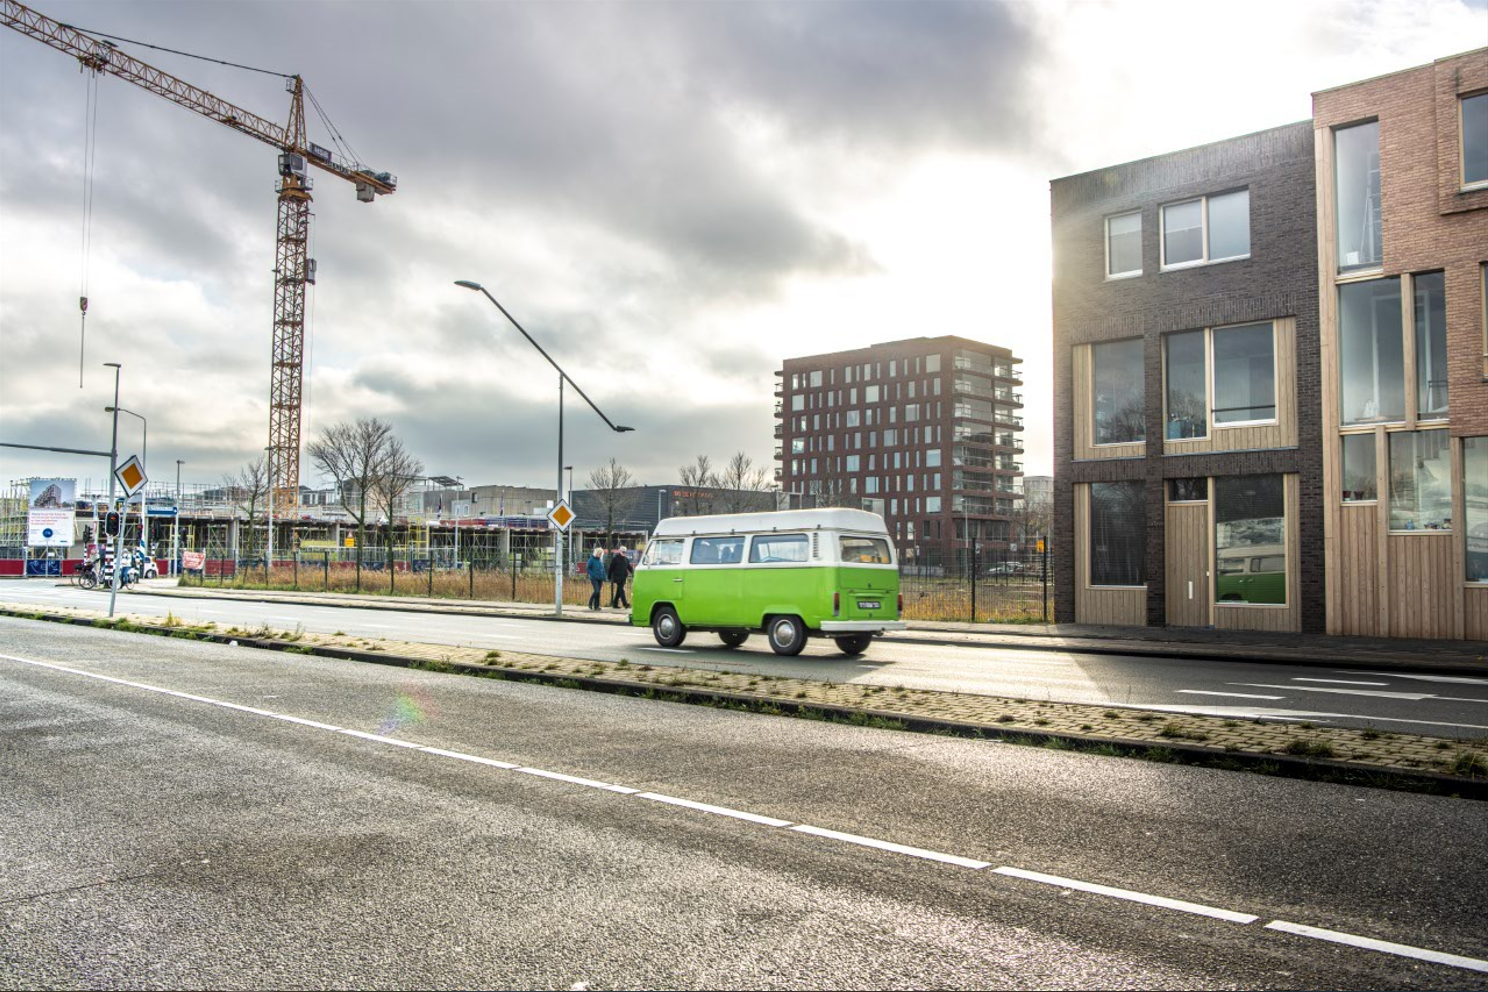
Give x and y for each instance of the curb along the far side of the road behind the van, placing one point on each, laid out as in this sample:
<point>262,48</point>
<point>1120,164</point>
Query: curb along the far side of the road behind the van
<point>934,639</point>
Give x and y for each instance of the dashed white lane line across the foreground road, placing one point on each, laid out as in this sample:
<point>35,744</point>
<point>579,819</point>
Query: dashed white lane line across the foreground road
<point>1161,902</point>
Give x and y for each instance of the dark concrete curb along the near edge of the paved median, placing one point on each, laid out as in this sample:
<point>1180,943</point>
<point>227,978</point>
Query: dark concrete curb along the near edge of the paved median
<point>1288,767</point>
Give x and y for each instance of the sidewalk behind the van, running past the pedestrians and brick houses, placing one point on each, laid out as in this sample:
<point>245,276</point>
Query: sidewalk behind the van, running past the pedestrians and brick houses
<point>1188,643</point>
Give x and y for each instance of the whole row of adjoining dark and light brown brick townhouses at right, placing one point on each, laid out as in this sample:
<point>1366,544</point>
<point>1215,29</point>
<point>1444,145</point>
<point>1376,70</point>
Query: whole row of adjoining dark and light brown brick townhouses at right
<point>1237,448</point>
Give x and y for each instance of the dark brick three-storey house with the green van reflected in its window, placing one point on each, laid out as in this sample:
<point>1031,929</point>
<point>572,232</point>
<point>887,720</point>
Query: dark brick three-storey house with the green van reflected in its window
<point>1188,465</point>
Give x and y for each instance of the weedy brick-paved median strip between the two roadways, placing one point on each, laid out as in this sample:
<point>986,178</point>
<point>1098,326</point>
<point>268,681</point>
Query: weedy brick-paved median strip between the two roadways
<point>1362,750</point>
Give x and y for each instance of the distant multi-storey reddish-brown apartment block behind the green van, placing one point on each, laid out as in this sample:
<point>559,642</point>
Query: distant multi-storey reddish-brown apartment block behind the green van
<point>925,432</point>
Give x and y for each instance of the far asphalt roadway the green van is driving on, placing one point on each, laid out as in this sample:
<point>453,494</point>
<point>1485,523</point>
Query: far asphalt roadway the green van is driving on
<point>1422,703</point>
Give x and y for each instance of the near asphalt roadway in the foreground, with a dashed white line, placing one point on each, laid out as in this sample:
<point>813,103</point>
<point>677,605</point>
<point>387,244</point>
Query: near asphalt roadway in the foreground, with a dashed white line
<point>181,814</point>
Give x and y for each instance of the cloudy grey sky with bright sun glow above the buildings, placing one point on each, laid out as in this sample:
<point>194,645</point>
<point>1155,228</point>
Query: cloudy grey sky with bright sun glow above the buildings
<point>670,197</point>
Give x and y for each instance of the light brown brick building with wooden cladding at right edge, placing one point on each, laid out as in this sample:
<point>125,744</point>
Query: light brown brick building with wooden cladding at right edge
<point>1402,178</point>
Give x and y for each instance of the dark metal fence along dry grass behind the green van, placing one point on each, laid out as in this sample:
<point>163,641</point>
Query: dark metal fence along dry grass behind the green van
<point>999,588</point>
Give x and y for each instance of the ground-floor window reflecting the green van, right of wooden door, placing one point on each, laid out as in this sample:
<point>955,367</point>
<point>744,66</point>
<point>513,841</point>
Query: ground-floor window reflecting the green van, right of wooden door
<point>1251,539</point>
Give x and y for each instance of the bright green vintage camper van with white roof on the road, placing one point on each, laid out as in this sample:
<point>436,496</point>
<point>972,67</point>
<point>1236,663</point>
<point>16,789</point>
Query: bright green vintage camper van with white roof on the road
<point>791,575</point>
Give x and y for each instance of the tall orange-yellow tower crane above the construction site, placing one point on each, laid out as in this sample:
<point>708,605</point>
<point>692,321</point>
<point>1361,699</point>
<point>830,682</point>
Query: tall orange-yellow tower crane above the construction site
<point>294,268</point>
